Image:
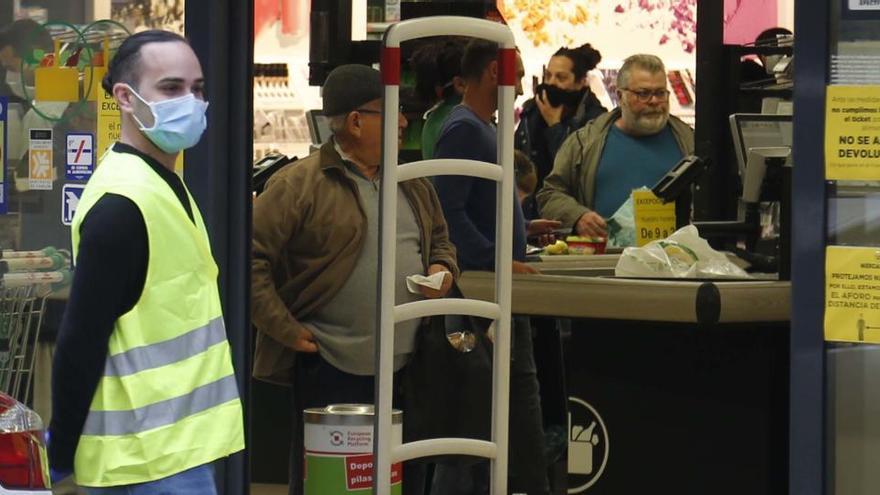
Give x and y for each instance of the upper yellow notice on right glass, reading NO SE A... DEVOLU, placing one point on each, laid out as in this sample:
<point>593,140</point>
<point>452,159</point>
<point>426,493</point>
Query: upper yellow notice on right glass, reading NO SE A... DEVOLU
<point>852,133</point>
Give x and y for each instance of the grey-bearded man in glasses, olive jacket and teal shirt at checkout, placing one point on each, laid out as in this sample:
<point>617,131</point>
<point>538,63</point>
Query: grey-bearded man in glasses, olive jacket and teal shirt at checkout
<point>632,146</point>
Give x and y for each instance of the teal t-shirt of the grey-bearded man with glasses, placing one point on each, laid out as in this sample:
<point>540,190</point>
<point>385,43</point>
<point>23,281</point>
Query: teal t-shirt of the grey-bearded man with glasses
<point>629,163</point>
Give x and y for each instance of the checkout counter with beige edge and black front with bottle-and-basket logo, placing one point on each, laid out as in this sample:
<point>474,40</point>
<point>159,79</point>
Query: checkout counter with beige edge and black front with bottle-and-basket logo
<point>673,386</point>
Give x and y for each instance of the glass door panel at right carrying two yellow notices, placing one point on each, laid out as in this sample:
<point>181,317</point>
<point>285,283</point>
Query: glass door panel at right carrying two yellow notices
<point>852,255</point>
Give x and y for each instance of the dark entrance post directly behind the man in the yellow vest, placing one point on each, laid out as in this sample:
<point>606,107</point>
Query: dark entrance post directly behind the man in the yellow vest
<point>218,172</point>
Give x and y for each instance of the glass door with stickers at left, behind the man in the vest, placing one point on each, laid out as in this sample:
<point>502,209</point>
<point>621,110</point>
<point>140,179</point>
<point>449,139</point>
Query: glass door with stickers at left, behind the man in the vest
<point>55,122</point>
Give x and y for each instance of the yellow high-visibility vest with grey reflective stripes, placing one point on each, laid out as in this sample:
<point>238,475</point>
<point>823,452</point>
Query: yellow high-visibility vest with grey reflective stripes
<point>167,400</point>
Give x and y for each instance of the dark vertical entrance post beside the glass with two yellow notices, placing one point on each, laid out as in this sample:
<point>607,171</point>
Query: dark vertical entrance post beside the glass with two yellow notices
<point>807,440</point>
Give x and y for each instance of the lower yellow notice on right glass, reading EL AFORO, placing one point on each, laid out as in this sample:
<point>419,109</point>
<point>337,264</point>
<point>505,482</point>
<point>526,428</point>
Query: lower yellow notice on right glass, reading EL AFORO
<point>852,294</point>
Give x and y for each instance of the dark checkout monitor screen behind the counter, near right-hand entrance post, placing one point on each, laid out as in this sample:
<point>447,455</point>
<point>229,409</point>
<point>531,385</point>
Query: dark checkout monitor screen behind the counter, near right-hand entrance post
<point>755,130</point>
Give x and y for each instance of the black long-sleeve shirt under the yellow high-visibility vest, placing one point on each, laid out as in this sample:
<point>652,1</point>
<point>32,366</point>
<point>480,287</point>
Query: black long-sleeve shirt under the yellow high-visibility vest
<point>111,269</point>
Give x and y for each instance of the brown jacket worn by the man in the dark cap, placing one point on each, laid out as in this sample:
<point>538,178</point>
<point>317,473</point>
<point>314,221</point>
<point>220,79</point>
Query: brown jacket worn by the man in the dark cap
<point>309,227</point>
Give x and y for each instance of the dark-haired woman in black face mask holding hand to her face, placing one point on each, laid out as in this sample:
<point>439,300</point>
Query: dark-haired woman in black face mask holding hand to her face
<point>562,104</point>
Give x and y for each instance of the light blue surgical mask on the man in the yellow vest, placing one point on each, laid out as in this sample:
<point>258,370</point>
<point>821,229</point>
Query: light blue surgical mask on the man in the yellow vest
<point>178,123</point>
